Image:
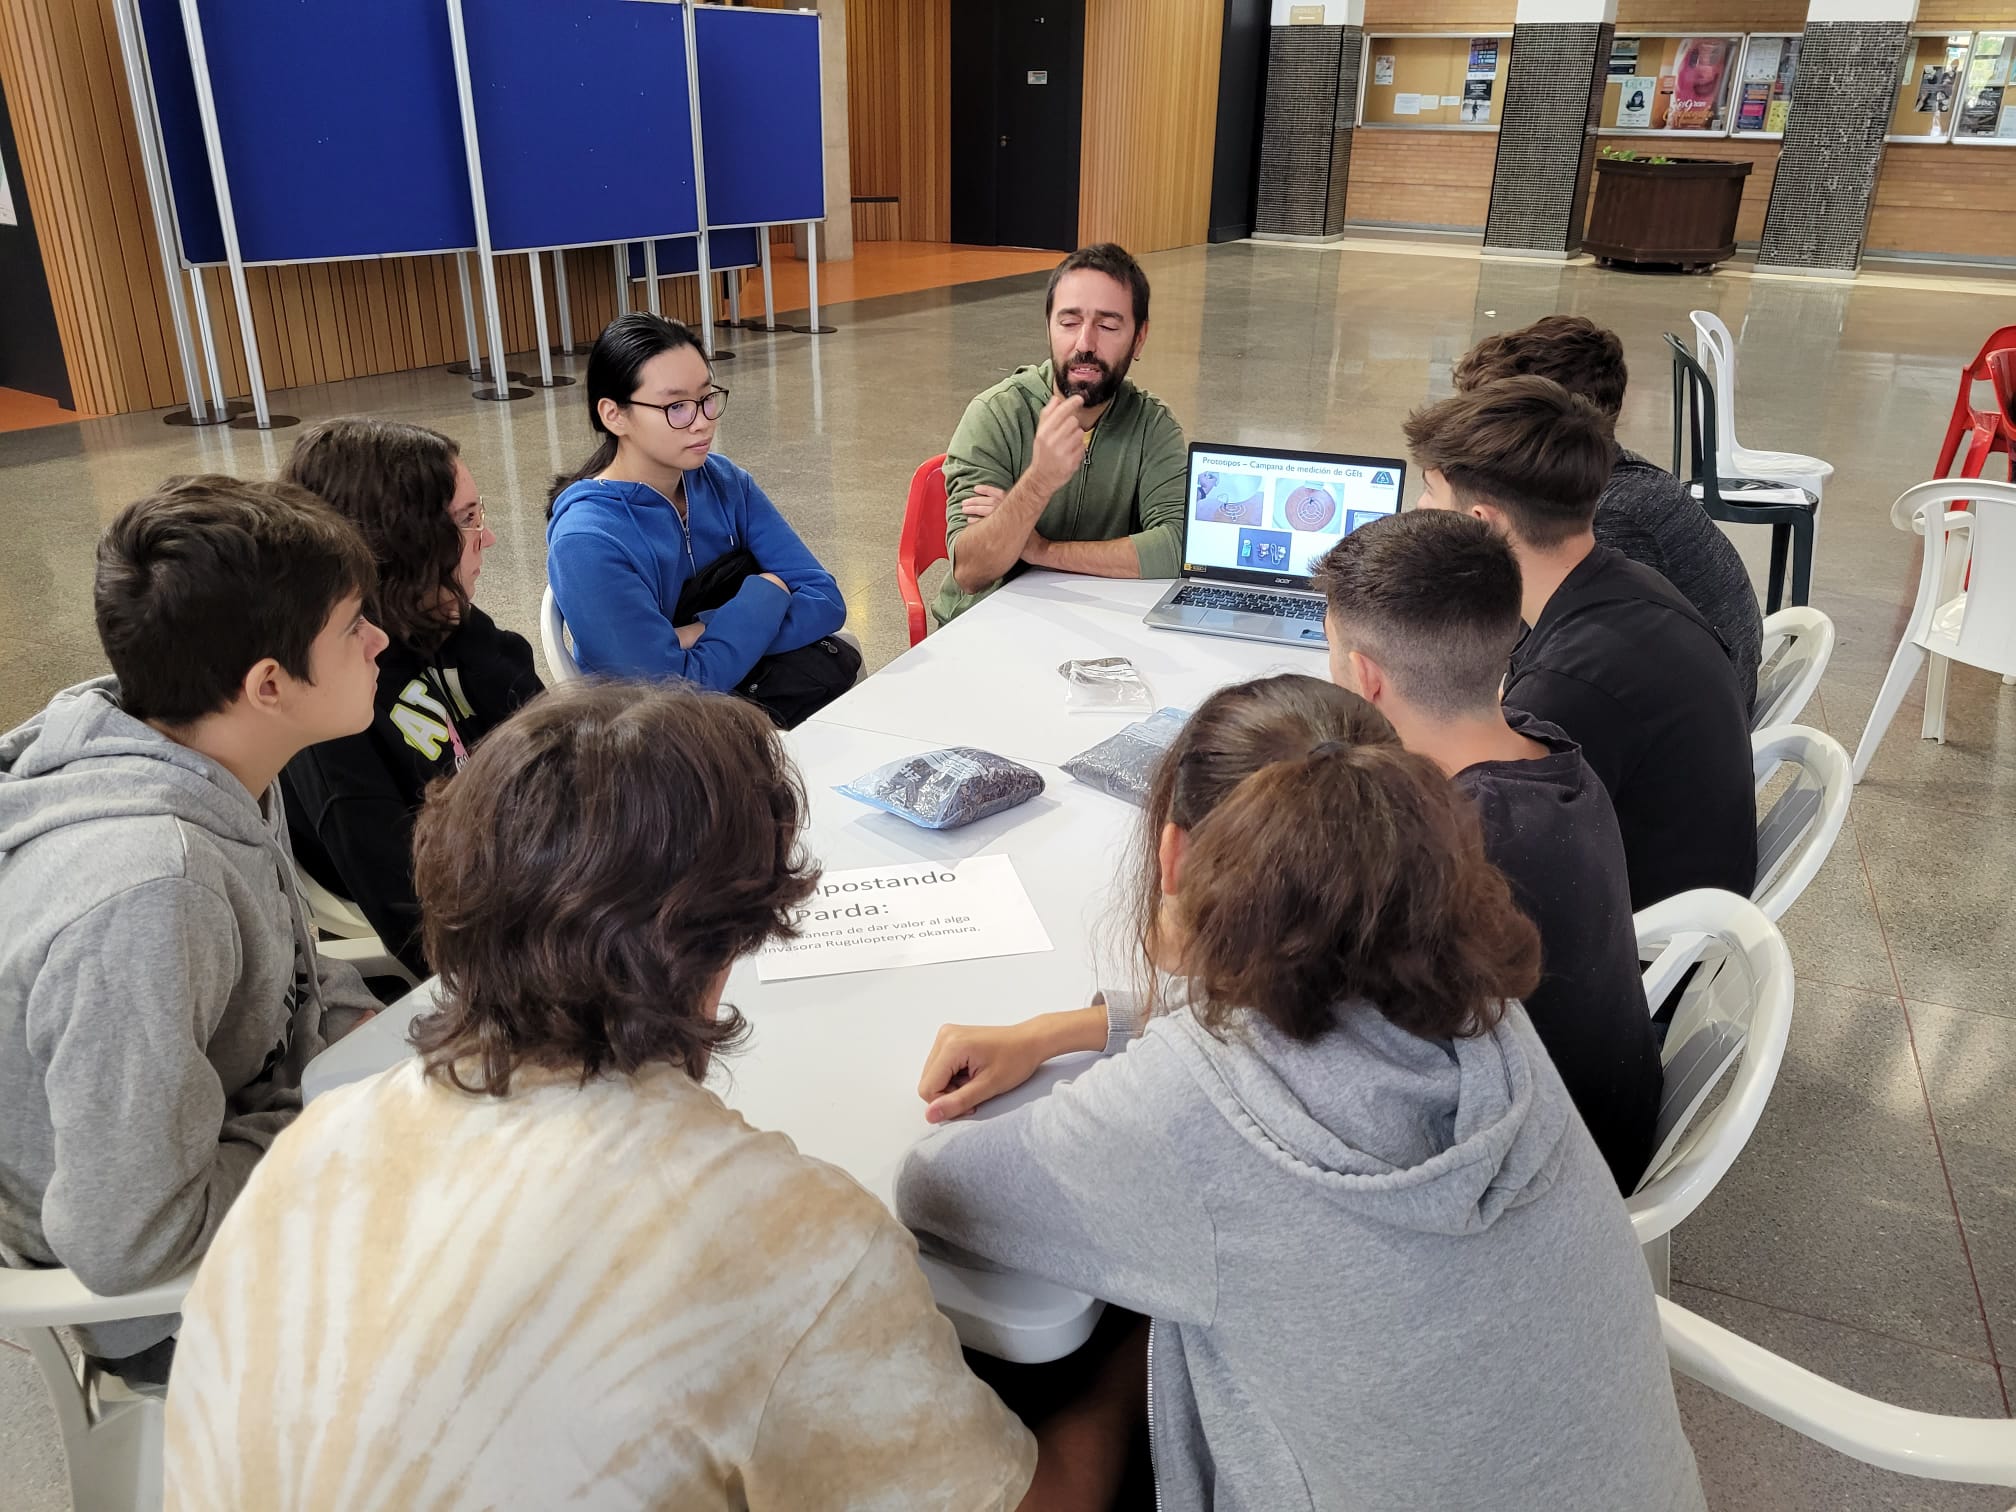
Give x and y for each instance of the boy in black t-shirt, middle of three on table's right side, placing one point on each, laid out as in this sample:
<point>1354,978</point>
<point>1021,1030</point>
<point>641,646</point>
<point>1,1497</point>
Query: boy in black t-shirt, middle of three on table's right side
<point>1614,656</point>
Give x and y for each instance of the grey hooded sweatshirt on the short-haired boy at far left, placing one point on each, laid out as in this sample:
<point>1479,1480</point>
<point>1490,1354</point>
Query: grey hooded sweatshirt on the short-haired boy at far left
<point>160,995</point>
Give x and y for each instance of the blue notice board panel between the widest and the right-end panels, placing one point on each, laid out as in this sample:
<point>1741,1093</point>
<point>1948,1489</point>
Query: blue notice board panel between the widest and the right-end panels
<point>584,120</point>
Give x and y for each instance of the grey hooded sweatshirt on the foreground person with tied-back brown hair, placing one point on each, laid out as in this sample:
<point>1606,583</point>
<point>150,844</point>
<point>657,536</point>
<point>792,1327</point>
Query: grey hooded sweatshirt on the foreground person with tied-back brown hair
<point>1384,1273</point>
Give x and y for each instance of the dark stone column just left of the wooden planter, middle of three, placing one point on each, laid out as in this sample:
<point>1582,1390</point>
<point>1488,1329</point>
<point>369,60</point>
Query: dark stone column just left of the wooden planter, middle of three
<point>1547,134</point>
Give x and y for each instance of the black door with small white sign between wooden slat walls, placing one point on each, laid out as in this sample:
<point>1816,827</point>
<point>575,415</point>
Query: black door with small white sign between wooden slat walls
<point>1017,122</point>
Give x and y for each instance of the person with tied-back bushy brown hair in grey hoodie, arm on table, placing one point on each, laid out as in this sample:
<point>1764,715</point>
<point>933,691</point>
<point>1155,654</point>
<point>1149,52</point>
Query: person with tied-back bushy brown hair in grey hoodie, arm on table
<point>1384,1261</point>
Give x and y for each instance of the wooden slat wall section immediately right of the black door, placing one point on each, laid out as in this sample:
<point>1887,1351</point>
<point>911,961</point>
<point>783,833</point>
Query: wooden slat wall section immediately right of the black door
<point>1150,122</point>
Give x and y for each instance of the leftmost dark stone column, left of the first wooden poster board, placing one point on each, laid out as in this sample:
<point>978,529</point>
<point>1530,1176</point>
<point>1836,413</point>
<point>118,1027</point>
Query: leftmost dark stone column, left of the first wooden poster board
<point>1305,128</point>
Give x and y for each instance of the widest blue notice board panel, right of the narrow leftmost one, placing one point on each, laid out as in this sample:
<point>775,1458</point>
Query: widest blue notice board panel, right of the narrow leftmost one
<point>342,130</point>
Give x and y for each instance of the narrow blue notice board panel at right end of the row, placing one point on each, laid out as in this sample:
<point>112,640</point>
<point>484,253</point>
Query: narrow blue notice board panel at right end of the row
<point>761,116</point>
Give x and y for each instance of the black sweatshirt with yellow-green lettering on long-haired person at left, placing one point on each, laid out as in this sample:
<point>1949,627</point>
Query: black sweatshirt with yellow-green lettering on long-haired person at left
<point>352,803</point>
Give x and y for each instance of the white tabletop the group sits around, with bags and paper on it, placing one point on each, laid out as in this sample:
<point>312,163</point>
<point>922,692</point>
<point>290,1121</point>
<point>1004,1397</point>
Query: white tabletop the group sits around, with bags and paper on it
<point>834,1061</point>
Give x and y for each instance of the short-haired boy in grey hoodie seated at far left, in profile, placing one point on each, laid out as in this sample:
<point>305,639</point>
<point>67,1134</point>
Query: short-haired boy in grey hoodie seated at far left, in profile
<point>160,989</point>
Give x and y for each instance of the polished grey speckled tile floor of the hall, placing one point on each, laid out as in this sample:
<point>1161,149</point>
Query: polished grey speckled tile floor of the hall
<point>1870,1231</point>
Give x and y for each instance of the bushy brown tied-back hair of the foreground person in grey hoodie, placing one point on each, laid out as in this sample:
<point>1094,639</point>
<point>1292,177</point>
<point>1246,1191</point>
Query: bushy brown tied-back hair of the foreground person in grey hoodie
<point>1328,866</point>
